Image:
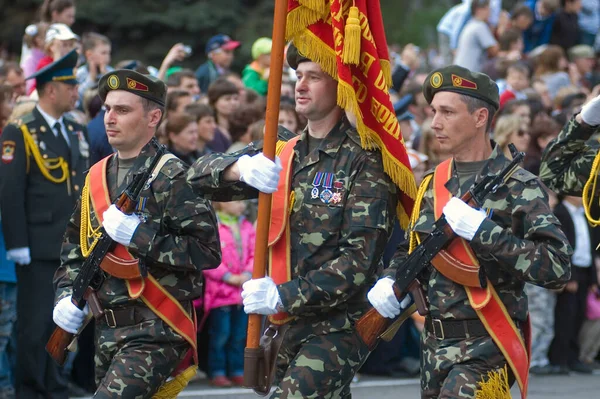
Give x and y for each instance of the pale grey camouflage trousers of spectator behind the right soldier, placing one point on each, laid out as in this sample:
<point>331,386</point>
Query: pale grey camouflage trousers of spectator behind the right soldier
<point>541,302</point>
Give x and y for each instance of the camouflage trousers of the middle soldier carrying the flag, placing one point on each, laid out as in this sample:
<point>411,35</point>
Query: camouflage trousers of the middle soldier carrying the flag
<point>318,366</point>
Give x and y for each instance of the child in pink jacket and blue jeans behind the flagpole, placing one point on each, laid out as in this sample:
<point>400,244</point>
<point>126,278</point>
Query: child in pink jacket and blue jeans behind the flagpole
<point>222,299</point>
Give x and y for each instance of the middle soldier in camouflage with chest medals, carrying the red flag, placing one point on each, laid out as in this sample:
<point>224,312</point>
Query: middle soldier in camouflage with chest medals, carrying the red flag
<point>336,246</point>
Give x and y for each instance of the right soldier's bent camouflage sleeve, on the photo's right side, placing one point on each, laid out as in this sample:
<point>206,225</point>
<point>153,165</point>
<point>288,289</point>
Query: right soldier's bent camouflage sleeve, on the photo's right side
<point>533,248</point>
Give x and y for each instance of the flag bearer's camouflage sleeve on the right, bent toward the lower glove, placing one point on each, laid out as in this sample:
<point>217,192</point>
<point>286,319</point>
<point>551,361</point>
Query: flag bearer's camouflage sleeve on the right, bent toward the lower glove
<point>367,223</point>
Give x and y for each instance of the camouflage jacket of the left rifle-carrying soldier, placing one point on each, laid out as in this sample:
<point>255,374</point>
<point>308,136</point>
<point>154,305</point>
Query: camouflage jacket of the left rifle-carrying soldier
<point>177,239</point>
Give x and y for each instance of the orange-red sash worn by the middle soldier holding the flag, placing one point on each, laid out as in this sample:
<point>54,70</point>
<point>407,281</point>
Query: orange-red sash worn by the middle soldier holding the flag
<point>280,269</point>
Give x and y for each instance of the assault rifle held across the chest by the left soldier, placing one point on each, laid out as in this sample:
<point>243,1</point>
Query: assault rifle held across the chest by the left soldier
<point>91,277</point>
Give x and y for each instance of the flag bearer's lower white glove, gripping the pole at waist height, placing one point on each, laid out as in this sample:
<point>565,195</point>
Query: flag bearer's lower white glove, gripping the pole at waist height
<point>260,296</point>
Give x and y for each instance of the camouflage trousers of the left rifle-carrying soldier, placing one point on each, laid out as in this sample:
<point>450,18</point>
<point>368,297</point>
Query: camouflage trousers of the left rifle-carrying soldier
<point>134,361</point>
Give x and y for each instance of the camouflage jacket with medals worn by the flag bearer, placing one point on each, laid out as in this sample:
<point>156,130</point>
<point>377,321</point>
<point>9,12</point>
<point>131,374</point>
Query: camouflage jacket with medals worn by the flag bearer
<point>337,247</point>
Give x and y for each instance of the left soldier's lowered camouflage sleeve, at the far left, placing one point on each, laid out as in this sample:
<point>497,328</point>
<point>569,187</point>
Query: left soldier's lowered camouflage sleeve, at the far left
<point>71,258</point>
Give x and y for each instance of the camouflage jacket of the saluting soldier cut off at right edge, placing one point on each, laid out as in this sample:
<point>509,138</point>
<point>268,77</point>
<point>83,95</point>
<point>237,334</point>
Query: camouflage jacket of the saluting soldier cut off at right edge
<point>567,160</point>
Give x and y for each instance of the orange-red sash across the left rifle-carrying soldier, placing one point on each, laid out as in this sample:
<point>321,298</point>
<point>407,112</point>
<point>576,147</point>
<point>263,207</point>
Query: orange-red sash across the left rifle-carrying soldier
<point>148,289</point>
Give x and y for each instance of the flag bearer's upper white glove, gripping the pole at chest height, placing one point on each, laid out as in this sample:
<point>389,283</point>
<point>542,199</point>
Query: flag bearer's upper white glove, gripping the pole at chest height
<point>260,172</point>
